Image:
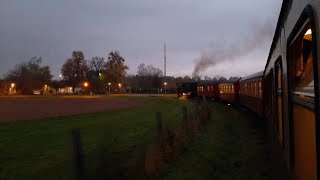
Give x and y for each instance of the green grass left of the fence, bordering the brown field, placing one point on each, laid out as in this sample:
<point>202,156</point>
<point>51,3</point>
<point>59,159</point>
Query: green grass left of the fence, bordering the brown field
<point>42,149</point>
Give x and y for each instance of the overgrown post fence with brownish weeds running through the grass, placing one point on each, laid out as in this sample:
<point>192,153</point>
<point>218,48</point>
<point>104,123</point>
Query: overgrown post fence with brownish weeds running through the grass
<point>166,145</point>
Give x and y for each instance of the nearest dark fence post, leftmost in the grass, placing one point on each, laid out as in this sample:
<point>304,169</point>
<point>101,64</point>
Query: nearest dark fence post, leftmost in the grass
<point>78,155</point>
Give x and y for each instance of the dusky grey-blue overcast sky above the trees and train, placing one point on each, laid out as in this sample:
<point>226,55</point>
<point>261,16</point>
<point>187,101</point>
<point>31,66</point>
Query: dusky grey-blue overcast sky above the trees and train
<point>138,29</point>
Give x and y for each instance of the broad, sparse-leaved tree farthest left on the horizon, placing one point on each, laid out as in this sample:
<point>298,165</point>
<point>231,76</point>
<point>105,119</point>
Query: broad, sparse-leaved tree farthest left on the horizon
<point>29,75</point>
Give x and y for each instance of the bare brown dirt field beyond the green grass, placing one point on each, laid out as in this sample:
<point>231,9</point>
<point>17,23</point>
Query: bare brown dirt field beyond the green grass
<point>30,107</point>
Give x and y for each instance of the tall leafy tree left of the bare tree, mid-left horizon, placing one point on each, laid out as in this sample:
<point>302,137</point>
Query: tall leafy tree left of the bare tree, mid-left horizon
<point>75,69</point>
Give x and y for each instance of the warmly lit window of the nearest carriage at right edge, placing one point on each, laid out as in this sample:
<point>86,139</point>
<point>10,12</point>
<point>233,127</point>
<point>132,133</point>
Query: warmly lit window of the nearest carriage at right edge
<point>302,64</point>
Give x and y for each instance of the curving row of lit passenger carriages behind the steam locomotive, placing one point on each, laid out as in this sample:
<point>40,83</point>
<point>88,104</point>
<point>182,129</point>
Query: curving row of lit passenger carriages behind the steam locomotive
<point>286,93</point>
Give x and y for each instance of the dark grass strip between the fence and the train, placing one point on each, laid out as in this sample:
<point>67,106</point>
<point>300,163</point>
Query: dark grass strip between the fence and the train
<point>230,146</point>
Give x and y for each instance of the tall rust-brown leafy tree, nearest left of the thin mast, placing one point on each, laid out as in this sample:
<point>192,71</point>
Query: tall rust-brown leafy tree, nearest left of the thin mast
<point>115,68</point>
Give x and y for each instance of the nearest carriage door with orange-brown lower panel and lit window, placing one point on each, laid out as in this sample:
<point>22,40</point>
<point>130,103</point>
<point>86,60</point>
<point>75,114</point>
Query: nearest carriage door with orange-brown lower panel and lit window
<point>301,63</point>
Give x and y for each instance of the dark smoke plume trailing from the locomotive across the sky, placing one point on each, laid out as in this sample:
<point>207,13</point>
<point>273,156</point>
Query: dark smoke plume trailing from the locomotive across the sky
<point>260,34</point>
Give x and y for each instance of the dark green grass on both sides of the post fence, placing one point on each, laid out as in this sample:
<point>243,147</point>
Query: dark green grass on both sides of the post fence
<point>230,146</point>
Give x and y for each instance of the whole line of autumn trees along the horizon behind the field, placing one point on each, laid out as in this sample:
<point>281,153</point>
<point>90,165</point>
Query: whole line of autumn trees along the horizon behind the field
<point>101,74</point>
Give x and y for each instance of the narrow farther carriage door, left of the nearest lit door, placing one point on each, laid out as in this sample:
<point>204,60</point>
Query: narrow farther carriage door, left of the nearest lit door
<point>279,105</point>
